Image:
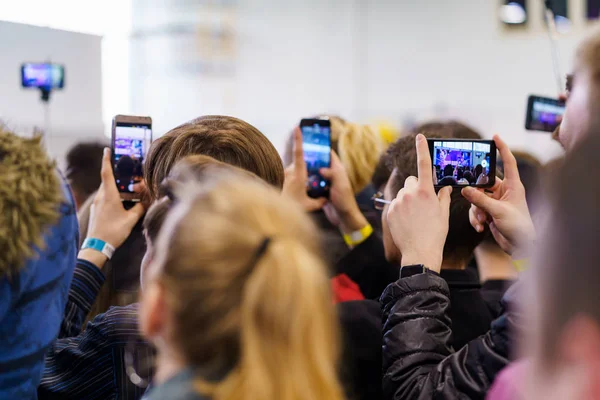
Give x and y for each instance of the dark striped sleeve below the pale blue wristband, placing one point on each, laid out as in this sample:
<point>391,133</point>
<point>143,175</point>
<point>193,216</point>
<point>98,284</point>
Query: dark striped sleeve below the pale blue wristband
<point>85,286</point>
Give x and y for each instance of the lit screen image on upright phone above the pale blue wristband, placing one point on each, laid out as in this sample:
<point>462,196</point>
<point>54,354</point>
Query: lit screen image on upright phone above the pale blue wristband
<point>131,143</point>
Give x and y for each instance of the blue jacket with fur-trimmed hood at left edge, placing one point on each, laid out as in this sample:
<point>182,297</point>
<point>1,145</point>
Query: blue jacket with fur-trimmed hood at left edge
<point>32,304</point>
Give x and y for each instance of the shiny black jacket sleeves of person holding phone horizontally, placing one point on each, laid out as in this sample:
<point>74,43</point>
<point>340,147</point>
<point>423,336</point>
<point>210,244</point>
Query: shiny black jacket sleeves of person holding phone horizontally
<point>418,361</point>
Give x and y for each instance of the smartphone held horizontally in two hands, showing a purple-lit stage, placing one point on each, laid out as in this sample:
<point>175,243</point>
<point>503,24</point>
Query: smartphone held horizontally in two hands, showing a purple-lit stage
<point>463,162</point>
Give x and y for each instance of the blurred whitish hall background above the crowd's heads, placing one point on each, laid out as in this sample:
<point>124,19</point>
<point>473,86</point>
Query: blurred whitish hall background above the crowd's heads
<point>388,62</point>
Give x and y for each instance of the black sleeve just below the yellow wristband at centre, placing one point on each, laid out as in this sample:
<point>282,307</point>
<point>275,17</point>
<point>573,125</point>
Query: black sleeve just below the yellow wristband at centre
<point>366,265</point>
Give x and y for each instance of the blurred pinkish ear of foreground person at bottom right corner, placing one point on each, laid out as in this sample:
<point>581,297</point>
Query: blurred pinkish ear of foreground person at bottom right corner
<point>579,346</point>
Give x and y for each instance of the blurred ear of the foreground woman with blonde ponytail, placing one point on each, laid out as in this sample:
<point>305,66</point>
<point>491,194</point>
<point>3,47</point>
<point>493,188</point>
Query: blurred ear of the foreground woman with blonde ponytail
<point>153,311</point>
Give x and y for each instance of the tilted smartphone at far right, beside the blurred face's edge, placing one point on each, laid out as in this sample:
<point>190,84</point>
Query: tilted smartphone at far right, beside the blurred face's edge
<point>544,113</point>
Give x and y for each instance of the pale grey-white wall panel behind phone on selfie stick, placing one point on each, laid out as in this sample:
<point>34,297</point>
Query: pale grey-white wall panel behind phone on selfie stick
<point>75,113</point>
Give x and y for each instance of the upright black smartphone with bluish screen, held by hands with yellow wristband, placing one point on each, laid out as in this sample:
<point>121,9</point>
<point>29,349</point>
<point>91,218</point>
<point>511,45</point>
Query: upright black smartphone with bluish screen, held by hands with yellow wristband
<point>316,142</point>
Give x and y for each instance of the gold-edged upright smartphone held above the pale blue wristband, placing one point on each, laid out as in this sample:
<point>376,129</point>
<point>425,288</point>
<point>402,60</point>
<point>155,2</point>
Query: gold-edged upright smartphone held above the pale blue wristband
<point>131,139</point>
